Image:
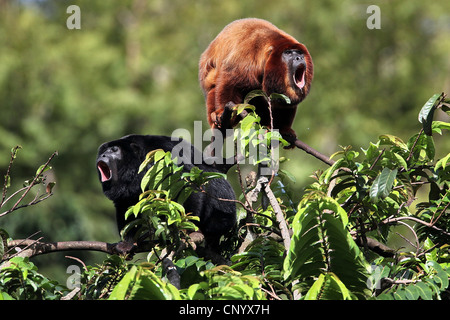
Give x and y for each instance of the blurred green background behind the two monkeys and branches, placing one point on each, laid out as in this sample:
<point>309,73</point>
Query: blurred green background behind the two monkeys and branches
<point>132,68</point>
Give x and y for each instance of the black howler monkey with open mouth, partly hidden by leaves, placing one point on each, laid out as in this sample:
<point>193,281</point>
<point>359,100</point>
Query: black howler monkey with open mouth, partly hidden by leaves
<point>118,163</point>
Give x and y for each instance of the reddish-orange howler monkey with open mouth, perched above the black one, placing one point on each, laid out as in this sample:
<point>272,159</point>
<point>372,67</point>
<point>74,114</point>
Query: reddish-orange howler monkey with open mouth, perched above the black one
<point>252,54</point>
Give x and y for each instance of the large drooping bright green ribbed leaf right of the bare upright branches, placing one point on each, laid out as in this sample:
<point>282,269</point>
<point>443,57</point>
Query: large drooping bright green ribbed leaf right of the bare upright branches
<point>319,231</point>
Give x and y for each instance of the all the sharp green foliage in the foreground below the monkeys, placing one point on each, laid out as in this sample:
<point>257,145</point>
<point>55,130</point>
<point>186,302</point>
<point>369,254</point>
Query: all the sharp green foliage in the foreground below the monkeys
<point>356,202</point>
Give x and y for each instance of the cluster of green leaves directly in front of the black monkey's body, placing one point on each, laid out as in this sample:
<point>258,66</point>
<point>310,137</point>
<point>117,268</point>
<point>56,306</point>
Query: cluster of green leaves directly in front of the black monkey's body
<point>165,187</point>
